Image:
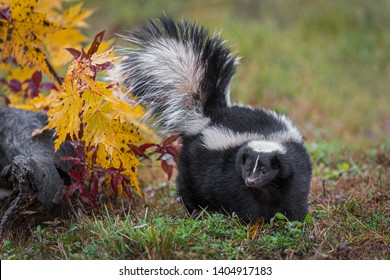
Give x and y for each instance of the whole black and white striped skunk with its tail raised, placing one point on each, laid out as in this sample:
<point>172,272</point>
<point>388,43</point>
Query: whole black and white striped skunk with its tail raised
<point>250,161</point>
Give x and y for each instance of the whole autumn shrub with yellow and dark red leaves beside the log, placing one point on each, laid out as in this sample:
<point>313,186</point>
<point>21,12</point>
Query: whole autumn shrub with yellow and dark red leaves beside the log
<point>37,40</point>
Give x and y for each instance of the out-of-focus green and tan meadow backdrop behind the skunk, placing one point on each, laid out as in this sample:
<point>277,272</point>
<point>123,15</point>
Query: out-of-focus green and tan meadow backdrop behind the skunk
<point>326,64</point>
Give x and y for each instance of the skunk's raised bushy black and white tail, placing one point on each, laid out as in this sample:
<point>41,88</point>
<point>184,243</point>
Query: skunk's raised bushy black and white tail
<point>179,72</point>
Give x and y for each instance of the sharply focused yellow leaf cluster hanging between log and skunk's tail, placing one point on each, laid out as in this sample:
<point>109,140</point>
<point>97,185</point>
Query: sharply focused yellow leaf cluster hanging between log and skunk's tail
<point>87,111</point>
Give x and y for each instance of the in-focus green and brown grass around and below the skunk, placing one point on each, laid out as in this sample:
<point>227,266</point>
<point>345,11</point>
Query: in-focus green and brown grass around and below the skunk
<point>349,219</point>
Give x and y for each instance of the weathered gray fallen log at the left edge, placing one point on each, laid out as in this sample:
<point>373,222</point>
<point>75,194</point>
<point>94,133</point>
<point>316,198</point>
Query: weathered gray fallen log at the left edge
<point>30,174</point>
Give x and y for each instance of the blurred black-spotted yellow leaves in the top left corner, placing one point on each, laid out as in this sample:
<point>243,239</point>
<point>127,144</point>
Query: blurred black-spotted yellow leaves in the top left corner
<point>45,29</point>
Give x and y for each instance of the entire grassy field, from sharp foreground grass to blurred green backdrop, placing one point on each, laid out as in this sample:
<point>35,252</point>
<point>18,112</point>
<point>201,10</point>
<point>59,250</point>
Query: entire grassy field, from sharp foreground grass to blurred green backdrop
<point>324,63</point>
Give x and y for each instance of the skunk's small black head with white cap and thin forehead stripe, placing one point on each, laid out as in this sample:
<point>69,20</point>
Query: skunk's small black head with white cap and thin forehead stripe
<point>261,163</point>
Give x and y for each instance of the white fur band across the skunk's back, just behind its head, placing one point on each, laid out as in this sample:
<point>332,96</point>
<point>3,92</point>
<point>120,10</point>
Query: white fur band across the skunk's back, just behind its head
<point>220,138</point>
